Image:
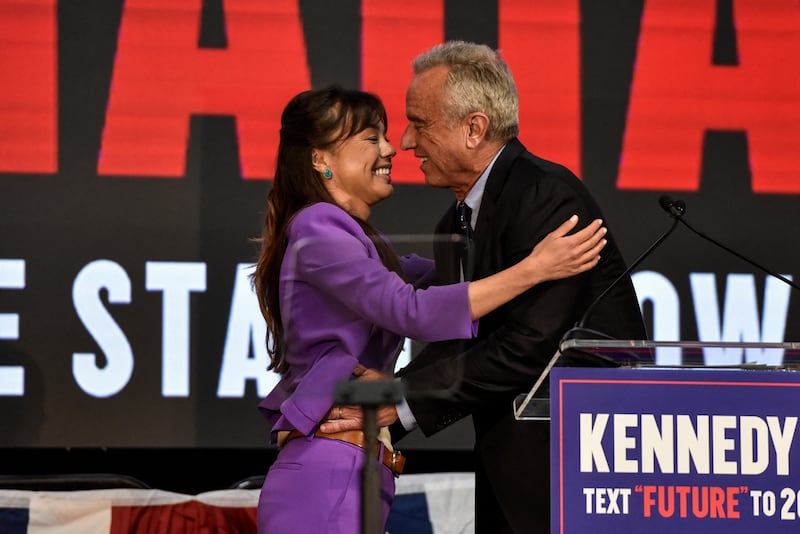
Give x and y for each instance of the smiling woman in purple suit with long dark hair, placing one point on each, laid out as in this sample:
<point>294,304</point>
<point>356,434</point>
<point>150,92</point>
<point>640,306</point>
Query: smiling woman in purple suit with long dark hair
<point>337,299</point>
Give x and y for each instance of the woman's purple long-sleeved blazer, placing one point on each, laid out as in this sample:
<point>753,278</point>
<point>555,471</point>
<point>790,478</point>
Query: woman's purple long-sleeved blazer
<point>341,306</point>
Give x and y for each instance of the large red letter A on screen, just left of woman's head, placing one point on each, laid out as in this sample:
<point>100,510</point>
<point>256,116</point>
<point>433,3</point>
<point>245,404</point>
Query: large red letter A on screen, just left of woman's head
<point>161,77</point>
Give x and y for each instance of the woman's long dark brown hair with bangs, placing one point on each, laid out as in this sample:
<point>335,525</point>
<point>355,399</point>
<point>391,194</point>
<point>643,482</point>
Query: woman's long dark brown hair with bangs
<point>314,119</point>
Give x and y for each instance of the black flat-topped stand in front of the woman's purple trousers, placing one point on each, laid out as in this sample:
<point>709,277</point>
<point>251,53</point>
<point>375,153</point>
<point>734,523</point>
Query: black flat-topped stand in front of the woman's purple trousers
<point>369,394</point>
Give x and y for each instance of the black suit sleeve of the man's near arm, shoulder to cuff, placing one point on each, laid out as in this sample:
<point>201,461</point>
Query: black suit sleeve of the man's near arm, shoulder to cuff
<point>517,340</point>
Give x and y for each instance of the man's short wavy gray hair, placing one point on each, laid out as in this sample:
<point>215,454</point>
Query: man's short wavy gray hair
<point>478,80</point>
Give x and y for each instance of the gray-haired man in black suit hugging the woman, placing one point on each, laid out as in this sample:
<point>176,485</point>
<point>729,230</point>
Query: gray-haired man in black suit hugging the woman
<point>462,109</point>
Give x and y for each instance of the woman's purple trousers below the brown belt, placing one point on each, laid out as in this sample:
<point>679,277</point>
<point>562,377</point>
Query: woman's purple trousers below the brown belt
<point>314,487</point>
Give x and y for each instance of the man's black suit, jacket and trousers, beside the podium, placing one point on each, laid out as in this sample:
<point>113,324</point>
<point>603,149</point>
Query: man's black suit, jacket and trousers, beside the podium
<point>525,198</point>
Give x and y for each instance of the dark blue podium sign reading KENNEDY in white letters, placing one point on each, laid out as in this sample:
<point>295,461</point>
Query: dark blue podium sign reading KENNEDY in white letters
<point>674,451</point>
